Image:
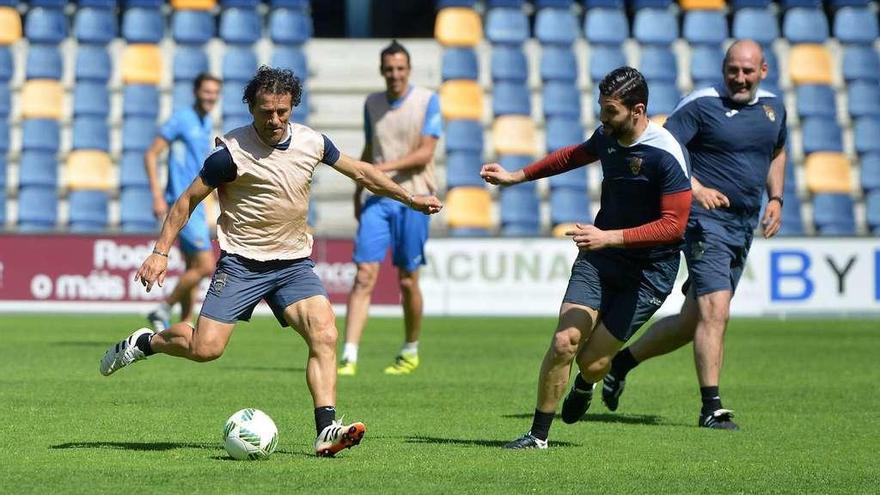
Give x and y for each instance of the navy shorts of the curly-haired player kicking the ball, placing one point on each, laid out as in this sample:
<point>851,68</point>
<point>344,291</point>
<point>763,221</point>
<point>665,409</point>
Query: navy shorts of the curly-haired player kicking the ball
<point>240,283</point>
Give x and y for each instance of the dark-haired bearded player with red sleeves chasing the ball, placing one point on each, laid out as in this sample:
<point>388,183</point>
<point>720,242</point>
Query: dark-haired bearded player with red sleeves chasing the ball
<point>628,260</point>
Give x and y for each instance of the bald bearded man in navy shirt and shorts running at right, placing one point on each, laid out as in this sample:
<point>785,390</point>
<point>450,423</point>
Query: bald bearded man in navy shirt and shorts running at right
<point>736,136</point>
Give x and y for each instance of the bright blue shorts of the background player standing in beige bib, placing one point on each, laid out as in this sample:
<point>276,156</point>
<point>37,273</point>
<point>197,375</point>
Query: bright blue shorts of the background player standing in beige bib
<point>386,223</point>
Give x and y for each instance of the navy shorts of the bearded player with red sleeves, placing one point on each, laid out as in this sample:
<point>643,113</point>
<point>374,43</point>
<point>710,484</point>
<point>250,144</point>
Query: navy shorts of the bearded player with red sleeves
<point>626,293</point>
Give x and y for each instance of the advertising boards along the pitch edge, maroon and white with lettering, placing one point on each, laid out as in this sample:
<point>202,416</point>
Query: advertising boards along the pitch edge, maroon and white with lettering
<point>463,276</point>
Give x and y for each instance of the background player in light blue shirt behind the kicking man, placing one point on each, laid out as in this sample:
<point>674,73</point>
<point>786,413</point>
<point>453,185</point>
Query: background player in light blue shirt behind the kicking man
<point>188,133</point>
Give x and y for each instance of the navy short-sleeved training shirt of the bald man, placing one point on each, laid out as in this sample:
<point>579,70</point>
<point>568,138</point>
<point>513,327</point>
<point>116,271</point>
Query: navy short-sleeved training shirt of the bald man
<point>731,145</point>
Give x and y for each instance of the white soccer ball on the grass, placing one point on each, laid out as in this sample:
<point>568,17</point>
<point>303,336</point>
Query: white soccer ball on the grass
<point>250,434</point>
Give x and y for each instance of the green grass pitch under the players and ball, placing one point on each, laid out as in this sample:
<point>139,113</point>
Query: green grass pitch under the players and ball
<point>805,391</point>
